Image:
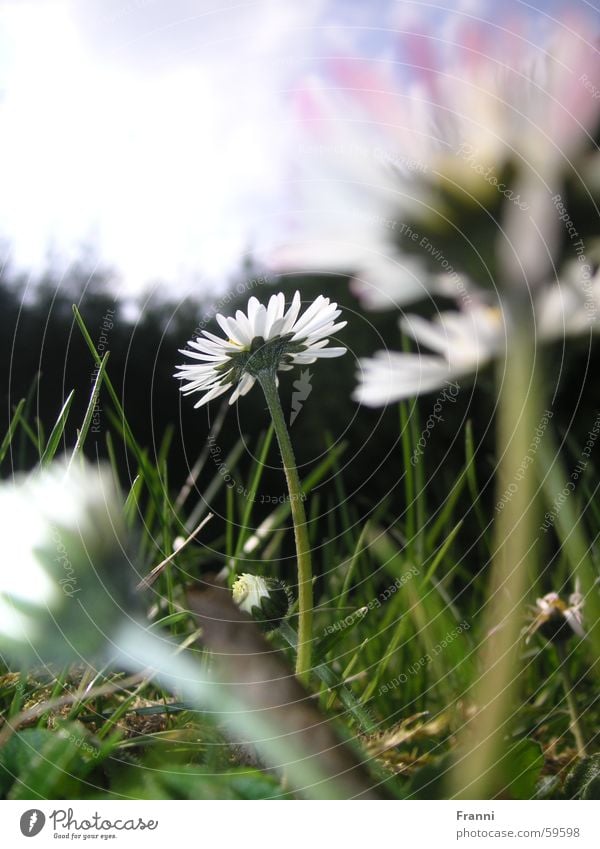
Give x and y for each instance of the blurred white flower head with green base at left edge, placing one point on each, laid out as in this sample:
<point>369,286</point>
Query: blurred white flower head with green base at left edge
<point>65,580</point>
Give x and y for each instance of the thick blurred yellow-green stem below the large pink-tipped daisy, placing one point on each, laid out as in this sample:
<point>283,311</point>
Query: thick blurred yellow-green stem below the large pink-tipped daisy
<point>478,775</point>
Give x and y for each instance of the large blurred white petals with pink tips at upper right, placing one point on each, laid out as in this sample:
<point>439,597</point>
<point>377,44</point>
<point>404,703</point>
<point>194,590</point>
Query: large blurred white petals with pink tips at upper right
<point>386,150</point>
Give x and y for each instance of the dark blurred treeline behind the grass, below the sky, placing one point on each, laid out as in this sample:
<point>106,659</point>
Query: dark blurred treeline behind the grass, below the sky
<point>44,357</point>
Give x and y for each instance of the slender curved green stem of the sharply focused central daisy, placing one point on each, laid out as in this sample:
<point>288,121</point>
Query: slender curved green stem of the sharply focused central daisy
<point>305,594</point>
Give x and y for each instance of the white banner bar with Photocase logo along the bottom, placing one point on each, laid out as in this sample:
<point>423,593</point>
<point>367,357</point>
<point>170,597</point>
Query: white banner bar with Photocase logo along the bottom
<point>293,826</point>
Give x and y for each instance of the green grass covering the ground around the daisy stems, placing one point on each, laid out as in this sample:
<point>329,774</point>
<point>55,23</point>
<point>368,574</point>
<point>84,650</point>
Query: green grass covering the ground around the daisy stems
<point>397,626</point>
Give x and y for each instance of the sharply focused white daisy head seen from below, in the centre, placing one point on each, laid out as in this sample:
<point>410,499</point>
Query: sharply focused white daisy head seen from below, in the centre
<point>262,339</point>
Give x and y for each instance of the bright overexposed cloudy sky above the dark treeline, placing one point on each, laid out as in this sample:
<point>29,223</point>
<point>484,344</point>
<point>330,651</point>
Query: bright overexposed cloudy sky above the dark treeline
<point>156,131</point>
